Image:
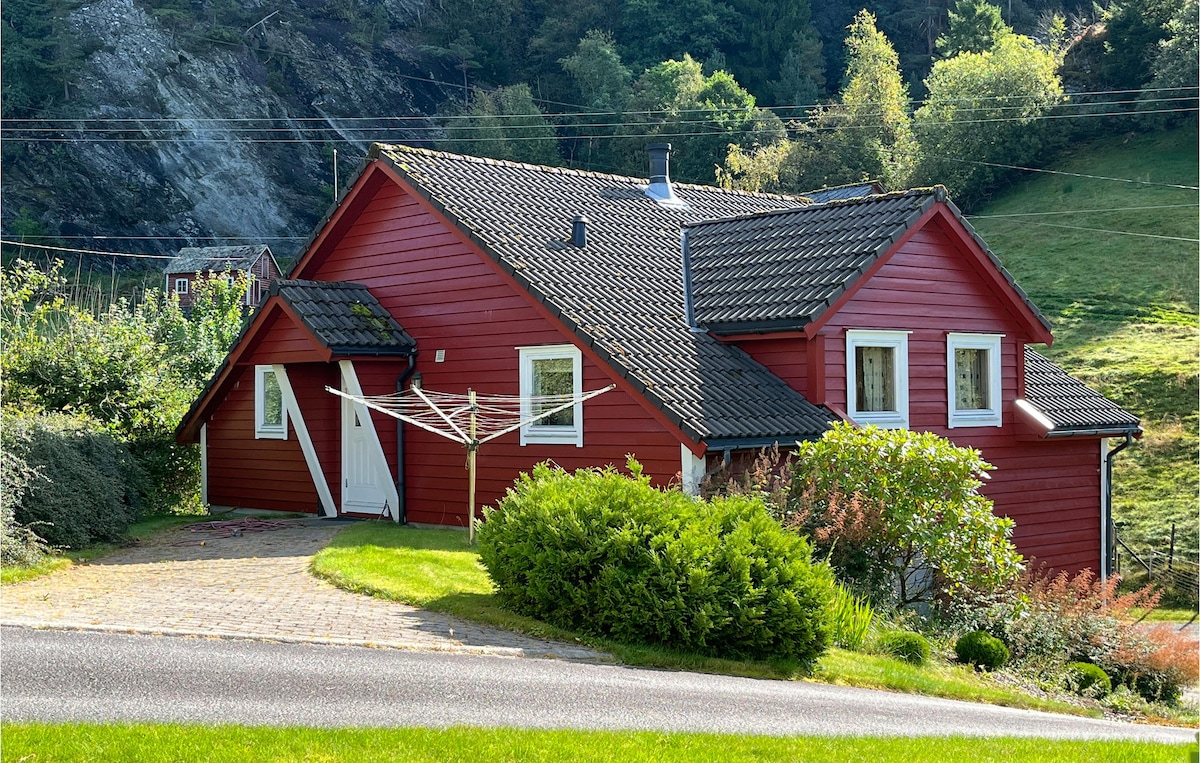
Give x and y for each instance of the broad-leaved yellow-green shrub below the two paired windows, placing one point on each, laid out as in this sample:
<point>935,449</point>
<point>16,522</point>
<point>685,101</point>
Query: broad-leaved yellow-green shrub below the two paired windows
<point>899,514</point>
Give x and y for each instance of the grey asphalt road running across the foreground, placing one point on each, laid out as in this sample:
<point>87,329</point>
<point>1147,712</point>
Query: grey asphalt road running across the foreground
<point>73,676</point>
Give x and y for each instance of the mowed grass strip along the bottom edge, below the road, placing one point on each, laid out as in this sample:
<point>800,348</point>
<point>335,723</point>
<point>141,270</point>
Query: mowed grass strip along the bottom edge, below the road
<point>44,743</point>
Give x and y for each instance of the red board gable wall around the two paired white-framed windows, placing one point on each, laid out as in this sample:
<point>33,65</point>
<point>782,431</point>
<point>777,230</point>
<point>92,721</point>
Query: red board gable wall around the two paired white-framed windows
<point>1051,488</point>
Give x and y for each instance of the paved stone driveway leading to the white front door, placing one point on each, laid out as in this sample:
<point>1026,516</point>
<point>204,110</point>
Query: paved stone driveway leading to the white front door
<point>254,586</point>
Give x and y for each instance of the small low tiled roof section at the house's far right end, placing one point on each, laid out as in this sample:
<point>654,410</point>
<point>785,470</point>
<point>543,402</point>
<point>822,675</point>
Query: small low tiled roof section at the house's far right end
<point>1070,405</point>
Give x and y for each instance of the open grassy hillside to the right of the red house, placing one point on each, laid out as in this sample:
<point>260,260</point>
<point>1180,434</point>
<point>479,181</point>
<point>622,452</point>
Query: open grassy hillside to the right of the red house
<point>1124,308</point>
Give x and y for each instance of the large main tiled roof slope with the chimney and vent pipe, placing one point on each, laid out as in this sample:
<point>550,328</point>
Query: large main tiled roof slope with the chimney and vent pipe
<point>623,293</point>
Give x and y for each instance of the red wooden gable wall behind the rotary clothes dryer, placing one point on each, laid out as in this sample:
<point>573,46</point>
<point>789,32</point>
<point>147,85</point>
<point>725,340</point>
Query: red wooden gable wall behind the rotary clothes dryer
<point>449,298</point>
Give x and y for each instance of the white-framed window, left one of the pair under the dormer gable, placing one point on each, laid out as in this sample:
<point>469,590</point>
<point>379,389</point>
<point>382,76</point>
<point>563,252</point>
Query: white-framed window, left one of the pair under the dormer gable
<point>878,379</point>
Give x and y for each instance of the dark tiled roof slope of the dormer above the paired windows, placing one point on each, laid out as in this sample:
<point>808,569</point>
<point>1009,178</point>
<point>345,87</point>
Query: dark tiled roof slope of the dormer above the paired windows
<point>783,269</point>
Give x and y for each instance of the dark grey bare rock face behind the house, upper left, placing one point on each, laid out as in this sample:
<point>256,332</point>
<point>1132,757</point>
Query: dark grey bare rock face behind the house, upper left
<point>177,134</point>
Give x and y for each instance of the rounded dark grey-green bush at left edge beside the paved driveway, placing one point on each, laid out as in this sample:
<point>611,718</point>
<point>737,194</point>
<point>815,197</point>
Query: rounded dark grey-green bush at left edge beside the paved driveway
<point>82,484</point>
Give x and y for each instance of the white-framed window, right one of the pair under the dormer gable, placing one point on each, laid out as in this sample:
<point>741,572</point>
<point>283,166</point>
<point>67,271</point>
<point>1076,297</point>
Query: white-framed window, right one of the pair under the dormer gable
<point>973,363</point>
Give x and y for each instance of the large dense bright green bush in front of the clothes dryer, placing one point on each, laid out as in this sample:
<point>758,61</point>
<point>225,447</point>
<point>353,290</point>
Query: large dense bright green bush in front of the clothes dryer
<point>613,556</point>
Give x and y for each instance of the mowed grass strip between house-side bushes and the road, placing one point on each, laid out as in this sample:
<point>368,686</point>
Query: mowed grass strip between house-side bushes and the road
<point>437,570</point>
